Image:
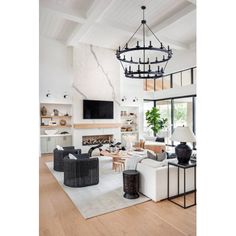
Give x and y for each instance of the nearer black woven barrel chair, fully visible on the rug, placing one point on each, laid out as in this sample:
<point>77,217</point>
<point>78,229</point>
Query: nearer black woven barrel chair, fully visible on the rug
<point>81,172</point>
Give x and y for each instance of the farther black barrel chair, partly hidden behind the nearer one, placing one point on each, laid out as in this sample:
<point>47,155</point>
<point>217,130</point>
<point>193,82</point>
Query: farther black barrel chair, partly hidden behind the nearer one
<point>58,156</point>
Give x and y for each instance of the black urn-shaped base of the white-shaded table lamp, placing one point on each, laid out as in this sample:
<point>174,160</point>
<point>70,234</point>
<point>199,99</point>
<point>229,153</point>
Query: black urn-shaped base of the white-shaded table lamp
<point>183,153</point>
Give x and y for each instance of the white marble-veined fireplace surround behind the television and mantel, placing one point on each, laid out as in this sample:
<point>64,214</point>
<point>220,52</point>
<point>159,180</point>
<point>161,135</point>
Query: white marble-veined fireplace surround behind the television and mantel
<point>96,77</point>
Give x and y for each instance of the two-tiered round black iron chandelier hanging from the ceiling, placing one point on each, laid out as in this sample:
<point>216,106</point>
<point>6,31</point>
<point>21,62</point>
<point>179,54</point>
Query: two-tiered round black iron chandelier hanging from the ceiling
<point>144,61</point>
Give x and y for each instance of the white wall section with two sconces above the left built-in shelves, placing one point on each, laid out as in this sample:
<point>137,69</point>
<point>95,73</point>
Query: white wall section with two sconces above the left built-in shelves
<point>55,70</point>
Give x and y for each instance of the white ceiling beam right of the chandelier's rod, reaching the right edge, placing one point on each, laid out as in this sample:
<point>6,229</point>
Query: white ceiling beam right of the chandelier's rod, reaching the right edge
<point>173,18</point>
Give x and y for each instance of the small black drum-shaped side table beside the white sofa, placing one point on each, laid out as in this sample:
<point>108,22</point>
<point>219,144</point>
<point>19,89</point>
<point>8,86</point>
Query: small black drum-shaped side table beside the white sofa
<point>131,184</point>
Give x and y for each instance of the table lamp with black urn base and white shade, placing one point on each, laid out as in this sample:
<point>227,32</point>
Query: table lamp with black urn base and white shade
<point>183,134</point>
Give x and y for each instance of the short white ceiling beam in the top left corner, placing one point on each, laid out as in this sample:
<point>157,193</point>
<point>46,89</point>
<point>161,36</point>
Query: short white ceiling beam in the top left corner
<point>66,13</point>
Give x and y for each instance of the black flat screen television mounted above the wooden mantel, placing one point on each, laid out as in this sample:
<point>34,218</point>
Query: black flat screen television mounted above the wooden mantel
<point>95,109</point>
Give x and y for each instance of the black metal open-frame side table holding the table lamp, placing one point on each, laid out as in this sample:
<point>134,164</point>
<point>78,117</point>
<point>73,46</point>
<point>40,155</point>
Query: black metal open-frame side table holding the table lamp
<point>184,167</point>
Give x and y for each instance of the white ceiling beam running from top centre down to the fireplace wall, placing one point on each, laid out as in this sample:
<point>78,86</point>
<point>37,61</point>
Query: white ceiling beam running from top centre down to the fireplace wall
<point>95,13</point>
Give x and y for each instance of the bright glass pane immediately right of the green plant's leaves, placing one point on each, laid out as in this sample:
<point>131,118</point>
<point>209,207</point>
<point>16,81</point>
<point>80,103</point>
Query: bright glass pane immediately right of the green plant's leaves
<point>165,111</point>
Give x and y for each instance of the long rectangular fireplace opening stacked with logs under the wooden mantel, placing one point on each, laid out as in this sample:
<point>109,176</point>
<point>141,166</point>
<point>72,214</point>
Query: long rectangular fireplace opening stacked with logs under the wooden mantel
<point>97,139</point>
